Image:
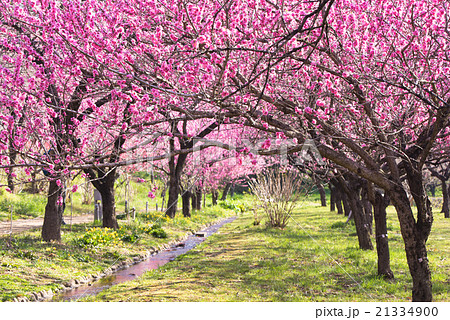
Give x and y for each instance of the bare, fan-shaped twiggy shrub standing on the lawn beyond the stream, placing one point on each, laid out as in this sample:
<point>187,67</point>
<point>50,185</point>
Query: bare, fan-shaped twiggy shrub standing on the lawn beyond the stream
<point>277,192</point>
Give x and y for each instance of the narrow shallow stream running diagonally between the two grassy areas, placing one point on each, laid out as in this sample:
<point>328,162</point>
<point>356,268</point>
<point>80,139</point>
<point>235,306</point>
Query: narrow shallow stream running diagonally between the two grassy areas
<point>136,270</point>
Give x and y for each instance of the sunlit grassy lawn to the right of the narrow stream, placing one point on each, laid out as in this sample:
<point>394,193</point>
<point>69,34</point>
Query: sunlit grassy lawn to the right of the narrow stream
<point>316,258</point>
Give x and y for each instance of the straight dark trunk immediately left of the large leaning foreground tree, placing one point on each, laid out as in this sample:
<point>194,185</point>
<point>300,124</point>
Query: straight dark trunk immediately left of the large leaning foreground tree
<point>380,204</point>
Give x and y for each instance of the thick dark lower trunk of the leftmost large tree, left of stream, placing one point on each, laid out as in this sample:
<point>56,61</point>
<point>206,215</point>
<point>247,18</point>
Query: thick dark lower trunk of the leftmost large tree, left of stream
<point>51,229</point>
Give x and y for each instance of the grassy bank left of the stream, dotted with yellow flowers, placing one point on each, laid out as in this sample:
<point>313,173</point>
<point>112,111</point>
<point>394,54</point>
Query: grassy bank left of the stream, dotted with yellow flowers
<point>32,265</point>
